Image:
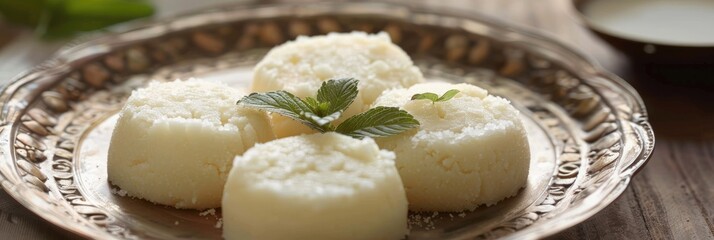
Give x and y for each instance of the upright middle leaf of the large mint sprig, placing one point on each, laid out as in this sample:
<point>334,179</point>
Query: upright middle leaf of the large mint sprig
<point>340,93</point>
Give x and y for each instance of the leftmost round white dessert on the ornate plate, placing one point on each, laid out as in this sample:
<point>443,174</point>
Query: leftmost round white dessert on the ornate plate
<point>174,143</point>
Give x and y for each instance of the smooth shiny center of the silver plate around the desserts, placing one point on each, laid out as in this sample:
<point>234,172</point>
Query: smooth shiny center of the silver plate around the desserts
<point>157,221</point>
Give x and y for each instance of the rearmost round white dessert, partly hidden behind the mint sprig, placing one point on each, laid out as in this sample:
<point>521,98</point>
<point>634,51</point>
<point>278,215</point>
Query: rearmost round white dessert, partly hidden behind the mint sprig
<point>300,67</point>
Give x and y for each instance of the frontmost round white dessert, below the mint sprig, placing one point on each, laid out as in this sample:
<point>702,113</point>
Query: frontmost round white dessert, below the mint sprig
<point>318,186</point>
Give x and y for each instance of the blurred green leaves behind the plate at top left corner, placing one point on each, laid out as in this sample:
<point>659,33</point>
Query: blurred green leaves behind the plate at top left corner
<point>57,18</point>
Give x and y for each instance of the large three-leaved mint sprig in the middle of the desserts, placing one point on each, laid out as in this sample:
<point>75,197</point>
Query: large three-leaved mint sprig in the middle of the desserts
<point>332,99</point>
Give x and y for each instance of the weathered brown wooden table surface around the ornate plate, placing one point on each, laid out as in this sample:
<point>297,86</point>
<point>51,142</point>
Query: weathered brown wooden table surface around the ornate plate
<point>671,198</point>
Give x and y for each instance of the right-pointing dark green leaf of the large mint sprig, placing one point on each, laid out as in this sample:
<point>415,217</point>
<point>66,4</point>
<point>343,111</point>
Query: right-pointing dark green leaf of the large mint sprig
<point>378,122</point>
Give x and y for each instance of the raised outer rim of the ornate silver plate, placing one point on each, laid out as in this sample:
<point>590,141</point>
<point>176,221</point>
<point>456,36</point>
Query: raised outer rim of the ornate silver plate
<point>637,132</point>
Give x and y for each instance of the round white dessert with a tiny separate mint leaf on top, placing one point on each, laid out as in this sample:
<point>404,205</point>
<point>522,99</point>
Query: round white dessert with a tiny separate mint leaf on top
<point>468,151</point>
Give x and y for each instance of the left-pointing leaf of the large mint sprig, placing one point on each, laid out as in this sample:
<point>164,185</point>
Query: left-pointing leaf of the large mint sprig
<point>283,103</point>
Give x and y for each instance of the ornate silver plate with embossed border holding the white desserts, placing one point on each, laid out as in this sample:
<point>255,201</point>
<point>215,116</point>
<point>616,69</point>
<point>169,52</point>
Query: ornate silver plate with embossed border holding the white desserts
<point>588,129</point>
